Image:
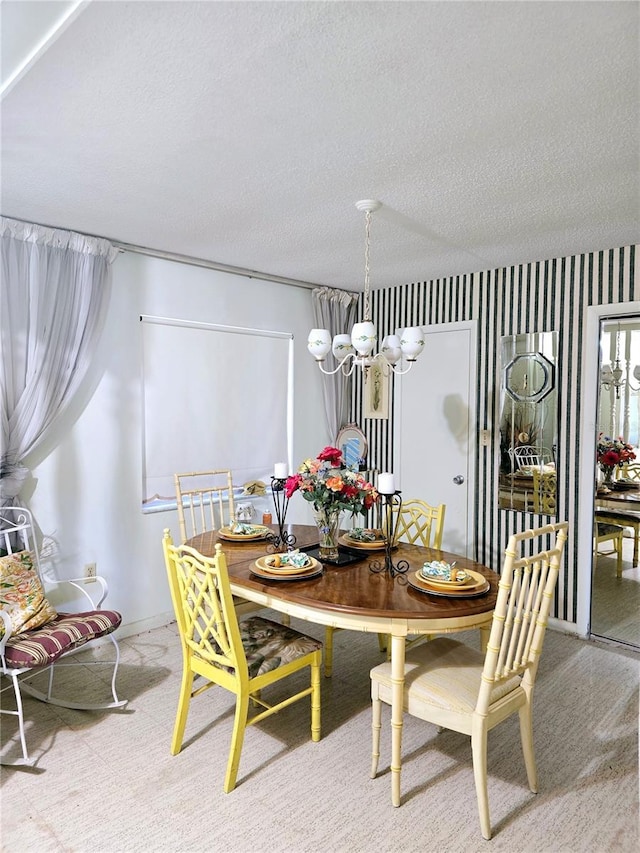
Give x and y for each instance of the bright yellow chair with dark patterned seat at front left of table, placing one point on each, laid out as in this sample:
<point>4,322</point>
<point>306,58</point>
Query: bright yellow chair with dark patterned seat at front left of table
<point>242,657</point>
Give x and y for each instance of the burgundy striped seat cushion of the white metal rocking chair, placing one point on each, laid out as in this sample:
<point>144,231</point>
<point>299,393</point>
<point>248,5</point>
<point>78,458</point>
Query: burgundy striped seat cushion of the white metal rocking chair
<point>43,646</point>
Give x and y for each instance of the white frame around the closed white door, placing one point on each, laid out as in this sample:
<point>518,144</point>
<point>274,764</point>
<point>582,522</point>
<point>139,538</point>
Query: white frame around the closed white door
<point>472,327</point>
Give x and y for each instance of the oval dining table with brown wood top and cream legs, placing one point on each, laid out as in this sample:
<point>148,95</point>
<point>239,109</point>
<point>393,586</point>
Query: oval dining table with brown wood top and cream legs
<point>360,594</point>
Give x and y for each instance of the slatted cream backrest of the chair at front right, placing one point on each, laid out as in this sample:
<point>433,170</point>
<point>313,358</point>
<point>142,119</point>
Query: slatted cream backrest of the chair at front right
<point>525,592</point>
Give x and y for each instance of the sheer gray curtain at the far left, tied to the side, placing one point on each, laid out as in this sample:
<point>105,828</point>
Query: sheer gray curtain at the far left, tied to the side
<point>54,291</point>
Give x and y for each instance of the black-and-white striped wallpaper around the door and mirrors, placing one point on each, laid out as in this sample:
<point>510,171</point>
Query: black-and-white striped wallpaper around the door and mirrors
<point>536,297</point>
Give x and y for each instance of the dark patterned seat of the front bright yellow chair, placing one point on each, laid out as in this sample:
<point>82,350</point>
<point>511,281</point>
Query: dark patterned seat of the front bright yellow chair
<point>269,645</point>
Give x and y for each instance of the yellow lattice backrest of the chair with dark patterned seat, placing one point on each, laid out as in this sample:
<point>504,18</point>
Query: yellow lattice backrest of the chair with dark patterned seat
<point>203,605</point>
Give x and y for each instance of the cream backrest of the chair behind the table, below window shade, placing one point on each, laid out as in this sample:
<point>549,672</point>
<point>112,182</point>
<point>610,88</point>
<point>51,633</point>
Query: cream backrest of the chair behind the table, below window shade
<point>204,500</point>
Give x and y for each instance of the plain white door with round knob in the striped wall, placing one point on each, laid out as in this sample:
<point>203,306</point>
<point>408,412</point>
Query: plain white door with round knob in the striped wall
<point>436,417</point>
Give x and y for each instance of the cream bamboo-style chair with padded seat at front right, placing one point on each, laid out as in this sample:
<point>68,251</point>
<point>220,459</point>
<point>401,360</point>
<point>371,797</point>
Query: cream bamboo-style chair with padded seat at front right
<point>455,686</point>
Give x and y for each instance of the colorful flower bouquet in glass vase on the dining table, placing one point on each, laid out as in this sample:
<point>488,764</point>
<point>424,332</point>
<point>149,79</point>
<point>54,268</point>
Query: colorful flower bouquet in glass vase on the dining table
<point>329,484</point>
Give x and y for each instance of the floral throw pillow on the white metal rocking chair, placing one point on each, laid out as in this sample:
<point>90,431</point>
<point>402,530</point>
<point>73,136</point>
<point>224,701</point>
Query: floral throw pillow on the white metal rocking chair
<point>21,594</point>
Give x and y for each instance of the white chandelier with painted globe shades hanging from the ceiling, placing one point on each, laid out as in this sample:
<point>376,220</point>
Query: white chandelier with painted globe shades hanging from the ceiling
<point>357,349</point>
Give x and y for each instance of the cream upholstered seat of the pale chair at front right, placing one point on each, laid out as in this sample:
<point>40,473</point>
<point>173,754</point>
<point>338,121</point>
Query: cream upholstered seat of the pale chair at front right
<point>444,673</point>
